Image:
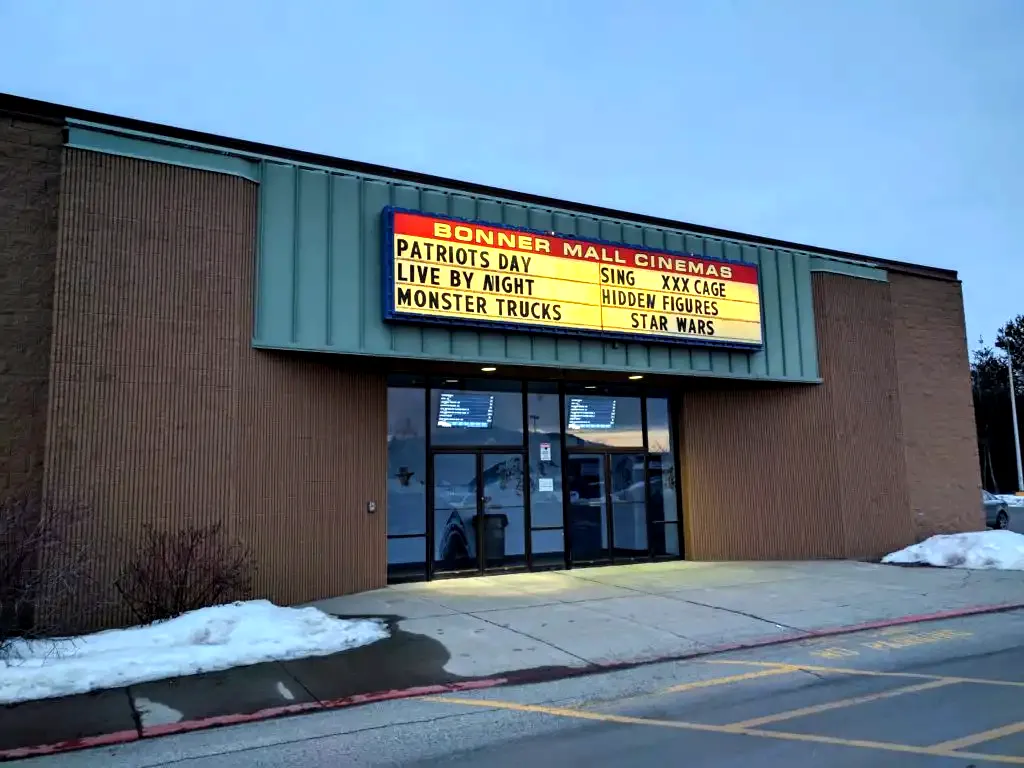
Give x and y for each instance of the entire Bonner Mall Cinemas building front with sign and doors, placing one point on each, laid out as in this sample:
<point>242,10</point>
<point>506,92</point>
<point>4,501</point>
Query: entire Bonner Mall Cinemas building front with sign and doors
<point>199,329</point>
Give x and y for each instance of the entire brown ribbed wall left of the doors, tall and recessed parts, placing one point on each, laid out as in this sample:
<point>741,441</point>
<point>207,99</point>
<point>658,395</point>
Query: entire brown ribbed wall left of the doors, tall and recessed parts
<point>163,414</point>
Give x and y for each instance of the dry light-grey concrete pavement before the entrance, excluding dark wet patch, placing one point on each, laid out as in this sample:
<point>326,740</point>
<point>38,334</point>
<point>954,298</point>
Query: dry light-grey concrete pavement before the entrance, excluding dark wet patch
<point>495,625</point>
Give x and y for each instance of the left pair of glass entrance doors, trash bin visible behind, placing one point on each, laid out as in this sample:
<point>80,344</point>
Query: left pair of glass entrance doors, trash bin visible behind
<point>480,511</point>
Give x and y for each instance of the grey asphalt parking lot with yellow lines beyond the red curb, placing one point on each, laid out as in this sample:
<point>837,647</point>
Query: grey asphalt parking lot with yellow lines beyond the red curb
<point>948,694</point>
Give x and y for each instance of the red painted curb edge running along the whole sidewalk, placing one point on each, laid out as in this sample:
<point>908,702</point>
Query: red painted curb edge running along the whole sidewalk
<point>516,678</point>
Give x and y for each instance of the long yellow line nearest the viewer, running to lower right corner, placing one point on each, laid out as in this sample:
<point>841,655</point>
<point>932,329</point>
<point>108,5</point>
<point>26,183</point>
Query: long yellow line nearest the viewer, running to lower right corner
<point>733,731</point>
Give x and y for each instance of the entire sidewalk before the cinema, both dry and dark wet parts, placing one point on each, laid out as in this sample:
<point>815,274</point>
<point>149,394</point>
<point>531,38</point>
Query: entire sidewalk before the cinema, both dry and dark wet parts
<point>493,630</point>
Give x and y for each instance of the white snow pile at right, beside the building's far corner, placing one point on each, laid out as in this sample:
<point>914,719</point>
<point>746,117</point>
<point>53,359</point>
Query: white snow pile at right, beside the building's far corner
<point>1002,550</point>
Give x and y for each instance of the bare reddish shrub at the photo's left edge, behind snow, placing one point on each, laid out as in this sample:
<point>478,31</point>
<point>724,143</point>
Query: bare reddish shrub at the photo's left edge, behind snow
<point>44,569</point>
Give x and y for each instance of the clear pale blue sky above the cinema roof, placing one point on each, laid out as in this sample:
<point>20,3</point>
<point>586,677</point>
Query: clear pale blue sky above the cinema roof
<point>893,129</point>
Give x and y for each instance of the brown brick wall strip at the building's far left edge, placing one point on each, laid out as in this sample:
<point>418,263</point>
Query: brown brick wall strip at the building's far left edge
<point>30,176</point>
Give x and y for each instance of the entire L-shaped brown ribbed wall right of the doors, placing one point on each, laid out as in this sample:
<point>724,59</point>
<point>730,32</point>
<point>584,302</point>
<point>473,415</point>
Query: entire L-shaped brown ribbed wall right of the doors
<point>779,474</point>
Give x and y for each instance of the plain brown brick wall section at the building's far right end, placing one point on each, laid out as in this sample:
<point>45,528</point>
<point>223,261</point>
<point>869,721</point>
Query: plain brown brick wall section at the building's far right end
<point>941,443</point>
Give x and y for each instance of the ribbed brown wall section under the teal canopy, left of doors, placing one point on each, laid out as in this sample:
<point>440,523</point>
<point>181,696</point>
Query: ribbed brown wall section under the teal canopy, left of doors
<point>313,446</point>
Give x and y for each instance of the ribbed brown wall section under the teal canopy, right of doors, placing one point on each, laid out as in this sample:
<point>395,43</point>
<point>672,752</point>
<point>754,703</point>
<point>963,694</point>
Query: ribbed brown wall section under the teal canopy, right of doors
<point>760,479</point>
